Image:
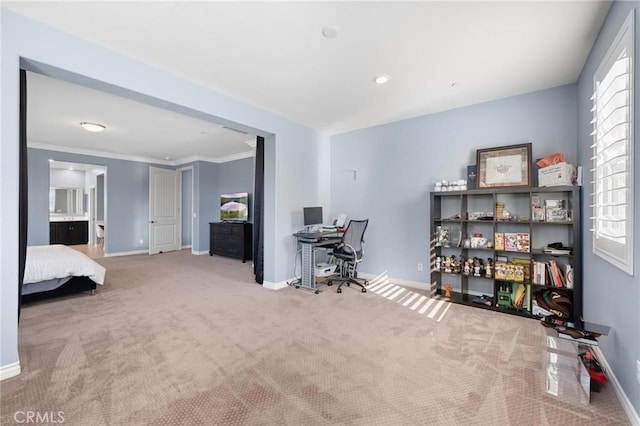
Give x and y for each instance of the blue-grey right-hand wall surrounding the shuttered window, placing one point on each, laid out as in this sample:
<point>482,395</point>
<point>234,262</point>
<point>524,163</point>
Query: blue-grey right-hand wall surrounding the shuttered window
<point>611,296</point>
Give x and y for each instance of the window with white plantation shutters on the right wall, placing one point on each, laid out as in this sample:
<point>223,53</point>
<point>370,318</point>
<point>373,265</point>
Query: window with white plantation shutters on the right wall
<point>613,152</point>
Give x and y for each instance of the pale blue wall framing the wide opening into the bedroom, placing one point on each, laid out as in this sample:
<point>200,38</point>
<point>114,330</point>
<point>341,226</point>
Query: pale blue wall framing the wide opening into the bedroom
<point>43,49</point>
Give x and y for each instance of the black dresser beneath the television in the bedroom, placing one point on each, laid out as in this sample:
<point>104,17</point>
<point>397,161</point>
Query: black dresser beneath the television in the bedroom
<point>231,239</point>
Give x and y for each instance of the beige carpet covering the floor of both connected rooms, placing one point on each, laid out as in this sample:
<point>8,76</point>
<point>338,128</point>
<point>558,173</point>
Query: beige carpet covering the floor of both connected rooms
<point>176,339</point>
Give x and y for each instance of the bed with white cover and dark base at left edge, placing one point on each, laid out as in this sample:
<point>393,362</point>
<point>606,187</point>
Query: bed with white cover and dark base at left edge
<point>56,270</point>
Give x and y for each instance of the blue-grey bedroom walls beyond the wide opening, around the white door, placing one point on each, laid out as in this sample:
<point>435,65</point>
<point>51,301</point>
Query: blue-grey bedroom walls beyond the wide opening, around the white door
<point>127,197</point>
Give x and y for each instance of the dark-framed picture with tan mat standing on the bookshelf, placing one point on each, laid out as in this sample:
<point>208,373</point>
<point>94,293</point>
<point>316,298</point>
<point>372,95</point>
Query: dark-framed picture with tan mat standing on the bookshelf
<point>504,167</point>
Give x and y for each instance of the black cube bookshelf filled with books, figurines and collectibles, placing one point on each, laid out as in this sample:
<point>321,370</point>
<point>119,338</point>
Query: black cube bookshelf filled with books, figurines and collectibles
<point>458,211</point>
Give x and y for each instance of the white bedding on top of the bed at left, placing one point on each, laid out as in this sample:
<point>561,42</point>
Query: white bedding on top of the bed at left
<point>58,261</point>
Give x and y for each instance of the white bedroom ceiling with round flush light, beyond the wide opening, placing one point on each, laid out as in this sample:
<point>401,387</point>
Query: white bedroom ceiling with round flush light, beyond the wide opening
<point>134,130</point>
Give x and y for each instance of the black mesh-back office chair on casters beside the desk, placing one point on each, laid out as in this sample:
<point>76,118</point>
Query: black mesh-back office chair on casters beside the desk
<point>349,253</point>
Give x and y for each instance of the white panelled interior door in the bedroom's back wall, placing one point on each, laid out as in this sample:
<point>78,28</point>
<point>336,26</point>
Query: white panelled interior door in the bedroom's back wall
<point>165,197</point>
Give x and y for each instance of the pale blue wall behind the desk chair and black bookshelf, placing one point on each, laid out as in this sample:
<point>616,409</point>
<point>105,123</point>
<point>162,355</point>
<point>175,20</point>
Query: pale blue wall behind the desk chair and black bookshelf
<point>397,164</point>
